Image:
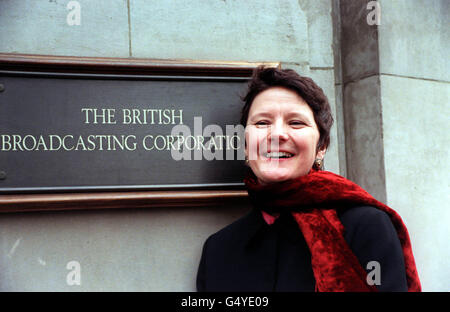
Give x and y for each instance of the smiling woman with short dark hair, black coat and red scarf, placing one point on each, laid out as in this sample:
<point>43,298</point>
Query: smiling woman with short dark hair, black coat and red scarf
<point>310,230</point>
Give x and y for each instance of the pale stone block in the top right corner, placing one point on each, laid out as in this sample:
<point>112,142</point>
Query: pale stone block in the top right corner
<point>414,38</point>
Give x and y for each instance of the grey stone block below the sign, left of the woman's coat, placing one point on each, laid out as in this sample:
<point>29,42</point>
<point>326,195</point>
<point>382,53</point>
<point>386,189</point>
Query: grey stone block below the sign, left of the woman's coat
<point>154,249</point>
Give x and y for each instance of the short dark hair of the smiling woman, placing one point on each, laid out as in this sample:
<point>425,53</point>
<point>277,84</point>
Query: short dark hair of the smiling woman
<point>264,78</point>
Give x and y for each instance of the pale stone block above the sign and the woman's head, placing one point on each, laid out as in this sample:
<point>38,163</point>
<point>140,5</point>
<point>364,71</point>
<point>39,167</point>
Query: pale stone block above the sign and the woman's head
<point>219,30</point>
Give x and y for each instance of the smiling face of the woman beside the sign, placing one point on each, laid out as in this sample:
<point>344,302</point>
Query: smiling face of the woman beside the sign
<point>281,136</point>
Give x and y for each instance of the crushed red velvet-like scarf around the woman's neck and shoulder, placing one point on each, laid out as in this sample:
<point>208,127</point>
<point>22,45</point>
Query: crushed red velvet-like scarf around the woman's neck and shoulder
<point>313,199</point>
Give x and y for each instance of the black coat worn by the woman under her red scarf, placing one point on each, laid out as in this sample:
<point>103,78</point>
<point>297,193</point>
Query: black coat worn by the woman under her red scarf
<point>250,255</point>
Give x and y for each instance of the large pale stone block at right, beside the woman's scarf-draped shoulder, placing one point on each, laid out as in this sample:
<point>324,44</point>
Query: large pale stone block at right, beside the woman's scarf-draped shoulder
<point>415,131</point>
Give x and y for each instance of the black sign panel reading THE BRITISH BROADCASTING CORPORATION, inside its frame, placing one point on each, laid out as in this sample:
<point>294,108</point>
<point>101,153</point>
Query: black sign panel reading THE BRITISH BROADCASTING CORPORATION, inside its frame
<point>68,131</point>
